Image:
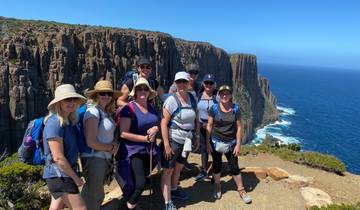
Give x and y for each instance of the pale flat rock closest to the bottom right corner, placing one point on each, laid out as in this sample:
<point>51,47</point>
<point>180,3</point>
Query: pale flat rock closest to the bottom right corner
<point>315,197</point>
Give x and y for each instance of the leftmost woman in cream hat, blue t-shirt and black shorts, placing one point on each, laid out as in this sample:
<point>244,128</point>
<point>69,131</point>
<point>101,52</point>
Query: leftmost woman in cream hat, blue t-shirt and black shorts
<point>61,151</point>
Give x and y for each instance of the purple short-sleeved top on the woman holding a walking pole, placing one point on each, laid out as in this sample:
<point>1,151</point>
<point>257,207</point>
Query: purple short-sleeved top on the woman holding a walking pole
<point>140,123</point>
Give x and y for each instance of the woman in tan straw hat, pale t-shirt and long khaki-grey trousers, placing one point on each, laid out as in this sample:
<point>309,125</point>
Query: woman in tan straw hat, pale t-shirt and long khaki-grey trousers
<point>99,130</point>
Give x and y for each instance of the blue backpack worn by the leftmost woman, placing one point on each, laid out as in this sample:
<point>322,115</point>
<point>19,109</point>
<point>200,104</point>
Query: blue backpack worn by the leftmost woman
<point>31,150</point>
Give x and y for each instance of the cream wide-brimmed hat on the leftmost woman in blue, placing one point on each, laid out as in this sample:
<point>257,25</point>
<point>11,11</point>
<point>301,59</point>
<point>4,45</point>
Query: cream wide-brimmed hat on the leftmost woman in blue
<point>63,92</point>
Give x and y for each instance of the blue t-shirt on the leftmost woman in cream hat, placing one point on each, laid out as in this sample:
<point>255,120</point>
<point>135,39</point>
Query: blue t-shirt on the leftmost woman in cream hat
<point>53,129</point>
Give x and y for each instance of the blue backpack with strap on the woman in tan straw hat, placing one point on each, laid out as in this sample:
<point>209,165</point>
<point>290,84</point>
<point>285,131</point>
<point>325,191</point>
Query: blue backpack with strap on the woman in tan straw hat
<point>79,129</point>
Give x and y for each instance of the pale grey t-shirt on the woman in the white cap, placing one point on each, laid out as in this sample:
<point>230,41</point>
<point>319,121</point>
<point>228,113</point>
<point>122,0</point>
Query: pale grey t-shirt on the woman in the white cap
<point>184,119</point>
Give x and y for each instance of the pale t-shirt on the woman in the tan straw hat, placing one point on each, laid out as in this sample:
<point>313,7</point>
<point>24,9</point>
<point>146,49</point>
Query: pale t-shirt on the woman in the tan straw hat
<point>105,132</point>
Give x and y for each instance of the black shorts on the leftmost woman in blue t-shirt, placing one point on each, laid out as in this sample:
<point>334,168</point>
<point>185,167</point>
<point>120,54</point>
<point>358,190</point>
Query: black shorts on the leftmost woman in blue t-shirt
<point>59,186</point>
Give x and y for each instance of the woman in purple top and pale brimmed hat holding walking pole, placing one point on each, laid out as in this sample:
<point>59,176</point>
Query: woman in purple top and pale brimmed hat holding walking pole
<point>138,127</point>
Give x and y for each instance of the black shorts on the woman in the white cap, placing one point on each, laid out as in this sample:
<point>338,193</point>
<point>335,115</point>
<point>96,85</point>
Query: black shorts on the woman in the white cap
<point>176,157</point>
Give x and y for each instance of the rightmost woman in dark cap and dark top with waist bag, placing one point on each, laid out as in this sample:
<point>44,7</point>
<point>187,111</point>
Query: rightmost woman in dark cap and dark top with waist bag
<point>223,136</point>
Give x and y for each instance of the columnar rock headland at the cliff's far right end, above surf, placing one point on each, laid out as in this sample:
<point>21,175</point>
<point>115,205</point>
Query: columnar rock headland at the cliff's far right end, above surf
<point>252,93</point>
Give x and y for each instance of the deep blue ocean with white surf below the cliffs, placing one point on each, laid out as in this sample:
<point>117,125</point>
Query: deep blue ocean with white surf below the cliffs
<point>320,110</point>
